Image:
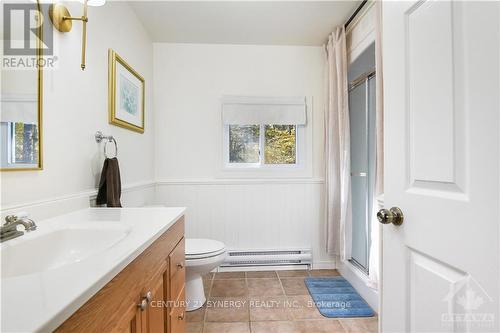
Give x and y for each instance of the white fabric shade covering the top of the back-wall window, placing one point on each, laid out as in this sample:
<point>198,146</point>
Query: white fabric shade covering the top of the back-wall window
<point>244,110</point>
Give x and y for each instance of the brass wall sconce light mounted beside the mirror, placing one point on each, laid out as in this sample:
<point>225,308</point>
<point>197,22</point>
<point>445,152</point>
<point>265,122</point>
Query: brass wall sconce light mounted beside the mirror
<point>62,20</point>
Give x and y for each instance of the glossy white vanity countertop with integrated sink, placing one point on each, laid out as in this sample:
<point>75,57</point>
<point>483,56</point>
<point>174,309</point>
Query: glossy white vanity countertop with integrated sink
<point>49,273</point>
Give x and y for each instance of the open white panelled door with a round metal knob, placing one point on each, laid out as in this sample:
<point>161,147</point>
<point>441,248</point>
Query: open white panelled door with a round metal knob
<point>441,95</point>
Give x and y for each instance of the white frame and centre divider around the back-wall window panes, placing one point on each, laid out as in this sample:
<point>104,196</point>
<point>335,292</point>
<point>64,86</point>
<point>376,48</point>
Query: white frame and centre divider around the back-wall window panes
<point>299,152</point>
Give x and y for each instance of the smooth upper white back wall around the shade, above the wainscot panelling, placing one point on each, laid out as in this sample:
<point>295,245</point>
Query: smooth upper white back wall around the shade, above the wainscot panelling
<point>190,79</point>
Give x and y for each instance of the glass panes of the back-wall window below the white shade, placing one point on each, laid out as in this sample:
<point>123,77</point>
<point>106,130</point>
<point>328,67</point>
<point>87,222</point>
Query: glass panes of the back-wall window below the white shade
<point>258,145</point>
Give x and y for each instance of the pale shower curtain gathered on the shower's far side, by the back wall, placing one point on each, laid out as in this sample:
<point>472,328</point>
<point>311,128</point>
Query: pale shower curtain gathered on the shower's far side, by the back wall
<point>337,149</point>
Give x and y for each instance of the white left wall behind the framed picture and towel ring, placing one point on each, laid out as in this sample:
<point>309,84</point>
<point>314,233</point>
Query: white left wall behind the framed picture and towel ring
<point>76,106</point>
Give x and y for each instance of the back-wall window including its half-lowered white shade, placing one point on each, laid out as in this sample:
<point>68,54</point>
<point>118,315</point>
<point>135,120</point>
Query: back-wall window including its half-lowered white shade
<point>263,132</point>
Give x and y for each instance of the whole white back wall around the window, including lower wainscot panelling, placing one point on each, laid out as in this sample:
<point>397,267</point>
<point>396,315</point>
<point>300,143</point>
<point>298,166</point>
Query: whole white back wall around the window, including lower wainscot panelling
<point>189,80</point>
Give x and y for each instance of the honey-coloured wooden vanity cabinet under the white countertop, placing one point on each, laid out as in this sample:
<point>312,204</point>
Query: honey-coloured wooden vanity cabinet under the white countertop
<point>155,280</point>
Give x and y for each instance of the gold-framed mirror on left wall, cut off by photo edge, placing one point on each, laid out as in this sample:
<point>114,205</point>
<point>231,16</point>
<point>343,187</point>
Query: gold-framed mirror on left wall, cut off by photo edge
<point>21,104</point>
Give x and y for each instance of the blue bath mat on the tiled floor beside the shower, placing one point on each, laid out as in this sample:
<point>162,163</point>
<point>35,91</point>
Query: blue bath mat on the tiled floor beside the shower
<point>336,298</point>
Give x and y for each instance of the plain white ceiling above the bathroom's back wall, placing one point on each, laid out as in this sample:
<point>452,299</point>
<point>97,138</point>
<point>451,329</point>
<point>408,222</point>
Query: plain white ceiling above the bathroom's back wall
<point>243,22</point>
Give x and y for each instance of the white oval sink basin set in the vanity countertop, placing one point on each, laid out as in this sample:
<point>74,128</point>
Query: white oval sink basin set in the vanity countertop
<point>56,249</point>
